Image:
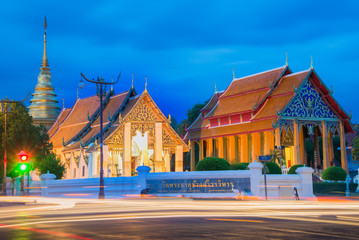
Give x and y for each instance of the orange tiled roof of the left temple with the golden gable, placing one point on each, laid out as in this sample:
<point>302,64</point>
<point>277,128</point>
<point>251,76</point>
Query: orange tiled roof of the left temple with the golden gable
<point>79,126</point>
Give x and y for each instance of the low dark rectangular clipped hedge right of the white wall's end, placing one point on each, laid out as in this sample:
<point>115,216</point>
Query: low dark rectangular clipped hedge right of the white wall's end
<point>332,188</point>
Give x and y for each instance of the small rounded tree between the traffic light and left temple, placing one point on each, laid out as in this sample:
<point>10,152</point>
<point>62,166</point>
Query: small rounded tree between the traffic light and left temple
<point>51,163</point>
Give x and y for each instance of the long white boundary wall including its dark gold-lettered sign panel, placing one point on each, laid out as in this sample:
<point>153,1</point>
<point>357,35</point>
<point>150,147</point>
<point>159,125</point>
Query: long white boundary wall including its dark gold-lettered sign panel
<point>188,184</point>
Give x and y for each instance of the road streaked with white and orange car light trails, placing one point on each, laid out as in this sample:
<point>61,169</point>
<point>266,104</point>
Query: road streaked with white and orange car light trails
<point>179,219</point>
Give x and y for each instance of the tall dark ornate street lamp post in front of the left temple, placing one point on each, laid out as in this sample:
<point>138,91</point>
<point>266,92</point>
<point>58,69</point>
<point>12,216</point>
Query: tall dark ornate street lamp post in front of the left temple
<point>101,92</point>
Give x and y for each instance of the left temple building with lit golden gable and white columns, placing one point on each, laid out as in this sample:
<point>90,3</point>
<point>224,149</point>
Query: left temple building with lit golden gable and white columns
<point>136,133</point>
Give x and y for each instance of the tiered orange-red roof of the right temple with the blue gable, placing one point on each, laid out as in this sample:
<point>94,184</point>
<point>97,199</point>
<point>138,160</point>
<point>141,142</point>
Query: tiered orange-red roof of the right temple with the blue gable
<point>252,104</point>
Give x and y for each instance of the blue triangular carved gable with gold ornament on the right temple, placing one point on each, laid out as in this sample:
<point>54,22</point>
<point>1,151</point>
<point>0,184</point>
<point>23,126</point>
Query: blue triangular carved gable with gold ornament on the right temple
<point>308,103</point>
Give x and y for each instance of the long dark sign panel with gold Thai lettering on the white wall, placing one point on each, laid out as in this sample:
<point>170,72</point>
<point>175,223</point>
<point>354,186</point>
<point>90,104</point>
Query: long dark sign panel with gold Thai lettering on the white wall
<point>209,185</point>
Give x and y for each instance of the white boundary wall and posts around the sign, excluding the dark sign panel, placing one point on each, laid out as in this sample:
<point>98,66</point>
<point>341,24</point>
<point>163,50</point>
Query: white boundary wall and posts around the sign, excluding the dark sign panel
<point>279,186</point>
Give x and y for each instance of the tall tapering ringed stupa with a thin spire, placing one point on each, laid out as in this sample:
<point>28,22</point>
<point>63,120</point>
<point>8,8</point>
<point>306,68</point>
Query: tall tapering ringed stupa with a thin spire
<point>44,105</point>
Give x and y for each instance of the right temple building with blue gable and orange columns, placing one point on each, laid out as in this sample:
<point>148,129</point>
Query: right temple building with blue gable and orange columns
<point>276,109</point>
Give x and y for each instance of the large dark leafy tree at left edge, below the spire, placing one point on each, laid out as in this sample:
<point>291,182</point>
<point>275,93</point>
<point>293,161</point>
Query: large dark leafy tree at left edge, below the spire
<point>21,135</point>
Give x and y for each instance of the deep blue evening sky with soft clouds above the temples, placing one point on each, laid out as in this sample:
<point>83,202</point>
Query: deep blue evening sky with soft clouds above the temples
<point>184,47</point>
